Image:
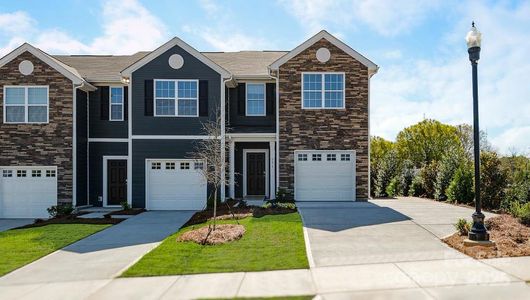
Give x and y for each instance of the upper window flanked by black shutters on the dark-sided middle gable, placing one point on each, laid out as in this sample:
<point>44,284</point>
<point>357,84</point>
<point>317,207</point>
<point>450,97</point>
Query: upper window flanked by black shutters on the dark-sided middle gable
<point>176,98</point>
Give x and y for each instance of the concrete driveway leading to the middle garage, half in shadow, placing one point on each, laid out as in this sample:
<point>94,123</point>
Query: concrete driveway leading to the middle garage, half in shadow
<point>104,255</point>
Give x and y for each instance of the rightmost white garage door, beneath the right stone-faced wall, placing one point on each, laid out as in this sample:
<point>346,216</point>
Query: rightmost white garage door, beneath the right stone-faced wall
<point>324,175</point>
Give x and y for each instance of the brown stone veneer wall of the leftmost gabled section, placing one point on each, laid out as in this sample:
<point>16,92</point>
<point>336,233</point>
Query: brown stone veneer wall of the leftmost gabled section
<point>40,144</point>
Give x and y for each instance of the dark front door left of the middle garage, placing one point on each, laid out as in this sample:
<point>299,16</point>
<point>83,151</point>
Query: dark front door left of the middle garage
<point>116,182</point>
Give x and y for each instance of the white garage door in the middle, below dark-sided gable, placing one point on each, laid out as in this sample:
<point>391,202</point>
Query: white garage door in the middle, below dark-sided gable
<point>175,185</point>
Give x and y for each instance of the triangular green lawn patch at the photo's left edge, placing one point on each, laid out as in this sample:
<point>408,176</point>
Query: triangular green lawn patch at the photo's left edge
<point>19,247</point>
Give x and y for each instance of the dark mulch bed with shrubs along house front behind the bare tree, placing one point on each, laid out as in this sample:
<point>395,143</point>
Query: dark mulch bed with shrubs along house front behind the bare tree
<point>228,211</point>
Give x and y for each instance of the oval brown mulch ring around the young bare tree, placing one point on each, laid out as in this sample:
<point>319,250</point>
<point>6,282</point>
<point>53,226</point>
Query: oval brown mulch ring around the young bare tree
<point>223,233</point>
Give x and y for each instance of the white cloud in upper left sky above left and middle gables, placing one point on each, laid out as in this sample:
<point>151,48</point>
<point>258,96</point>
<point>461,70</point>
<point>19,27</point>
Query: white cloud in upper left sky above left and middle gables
<point>127,27</point>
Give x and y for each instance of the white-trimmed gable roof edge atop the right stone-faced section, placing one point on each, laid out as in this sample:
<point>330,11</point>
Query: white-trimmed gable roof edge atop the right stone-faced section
<point>372,67</point>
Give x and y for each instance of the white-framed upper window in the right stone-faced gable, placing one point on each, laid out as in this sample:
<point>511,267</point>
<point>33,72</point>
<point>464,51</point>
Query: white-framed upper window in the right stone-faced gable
<point>322,90</point>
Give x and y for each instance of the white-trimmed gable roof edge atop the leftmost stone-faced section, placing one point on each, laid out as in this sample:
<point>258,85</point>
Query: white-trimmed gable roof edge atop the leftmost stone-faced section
<point>61,67</point>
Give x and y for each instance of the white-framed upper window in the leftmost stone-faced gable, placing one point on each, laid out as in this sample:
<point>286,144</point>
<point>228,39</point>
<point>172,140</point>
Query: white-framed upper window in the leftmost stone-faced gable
<point>26,104</point>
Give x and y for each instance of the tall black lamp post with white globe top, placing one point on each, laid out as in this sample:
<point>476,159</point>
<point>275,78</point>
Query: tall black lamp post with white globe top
<point>478,231</point>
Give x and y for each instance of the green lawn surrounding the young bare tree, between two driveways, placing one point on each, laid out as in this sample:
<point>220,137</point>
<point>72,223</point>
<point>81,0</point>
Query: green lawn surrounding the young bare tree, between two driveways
<point>272,242</point>
